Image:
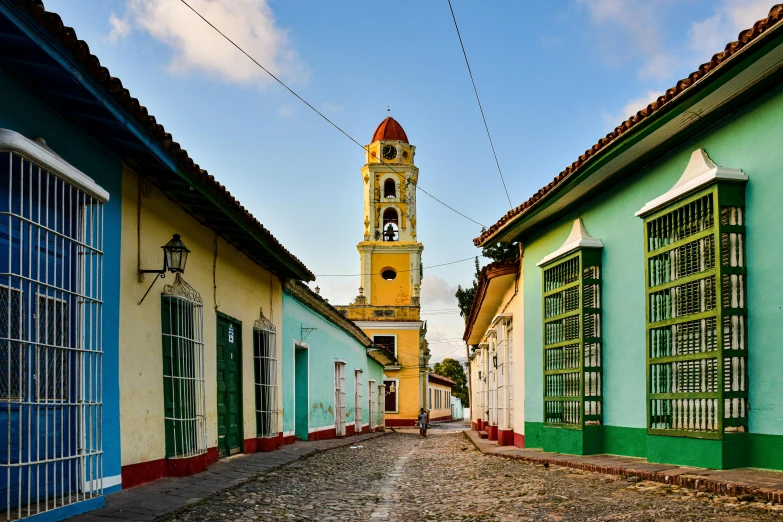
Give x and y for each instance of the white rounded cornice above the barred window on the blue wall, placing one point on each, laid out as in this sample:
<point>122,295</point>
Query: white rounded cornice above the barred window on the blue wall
<point>12,141</point>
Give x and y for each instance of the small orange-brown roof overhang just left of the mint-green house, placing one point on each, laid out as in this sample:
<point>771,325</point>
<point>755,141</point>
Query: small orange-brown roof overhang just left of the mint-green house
<point>496,280</point>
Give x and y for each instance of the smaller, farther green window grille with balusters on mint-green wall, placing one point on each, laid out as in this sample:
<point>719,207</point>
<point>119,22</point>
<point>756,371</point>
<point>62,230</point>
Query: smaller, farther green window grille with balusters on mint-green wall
<point>572,339</point>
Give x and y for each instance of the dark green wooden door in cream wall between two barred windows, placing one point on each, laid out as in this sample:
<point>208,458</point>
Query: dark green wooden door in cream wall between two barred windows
<point>229,385</point>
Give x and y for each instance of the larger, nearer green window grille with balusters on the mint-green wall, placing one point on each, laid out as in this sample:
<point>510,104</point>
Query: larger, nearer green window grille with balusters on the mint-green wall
<point>695,264</point>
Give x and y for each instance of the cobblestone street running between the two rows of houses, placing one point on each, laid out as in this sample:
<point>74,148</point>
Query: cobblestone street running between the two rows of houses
<point>402,477</point>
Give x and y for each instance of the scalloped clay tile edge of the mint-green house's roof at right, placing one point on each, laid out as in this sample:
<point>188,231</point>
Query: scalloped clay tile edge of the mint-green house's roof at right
<point>745,38</point>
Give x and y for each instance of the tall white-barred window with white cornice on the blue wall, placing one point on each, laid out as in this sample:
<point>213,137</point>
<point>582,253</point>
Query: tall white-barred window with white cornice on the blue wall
<point>51,379</point>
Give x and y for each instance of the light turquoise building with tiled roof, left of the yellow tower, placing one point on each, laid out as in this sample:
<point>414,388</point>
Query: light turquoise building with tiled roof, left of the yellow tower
<point>332,372</point>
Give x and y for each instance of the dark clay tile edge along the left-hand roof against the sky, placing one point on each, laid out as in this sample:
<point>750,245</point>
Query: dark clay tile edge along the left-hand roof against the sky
<point>53,23</point>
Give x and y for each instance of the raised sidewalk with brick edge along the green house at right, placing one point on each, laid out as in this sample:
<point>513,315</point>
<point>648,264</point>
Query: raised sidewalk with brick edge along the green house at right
<point>761,485</point>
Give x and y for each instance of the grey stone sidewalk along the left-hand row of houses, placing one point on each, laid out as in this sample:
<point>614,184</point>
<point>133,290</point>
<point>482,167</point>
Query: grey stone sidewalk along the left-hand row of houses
<point>166,495</point>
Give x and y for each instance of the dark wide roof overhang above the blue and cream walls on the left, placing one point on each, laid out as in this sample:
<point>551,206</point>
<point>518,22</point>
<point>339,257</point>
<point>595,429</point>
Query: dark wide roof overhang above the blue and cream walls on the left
<point>47,58</point>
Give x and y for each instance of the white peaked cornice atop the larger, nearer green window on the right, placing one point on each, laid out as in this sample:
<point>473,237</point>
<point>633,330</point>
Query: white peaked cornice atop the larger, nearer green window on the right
<point>701,171</point>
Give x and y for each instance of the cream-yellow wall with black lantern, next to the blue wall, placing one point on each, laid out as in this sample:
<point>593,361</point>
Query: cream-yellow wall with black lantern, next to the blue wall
<point>239,289</point>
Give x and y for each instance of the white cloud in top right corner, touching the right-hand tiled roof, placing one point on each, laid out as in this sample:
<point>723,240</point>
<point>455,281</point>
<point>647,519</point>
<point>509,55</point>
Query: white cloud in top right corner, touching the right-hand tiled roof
<point>709,36</point>
